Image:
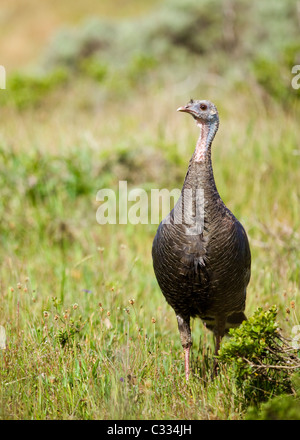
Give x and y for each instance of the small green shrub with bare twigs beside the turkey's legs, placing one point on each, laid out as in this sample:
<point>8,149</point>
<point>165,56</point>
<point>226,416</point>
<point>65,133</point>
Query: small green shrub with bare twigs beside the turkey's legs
<point>259,359</point>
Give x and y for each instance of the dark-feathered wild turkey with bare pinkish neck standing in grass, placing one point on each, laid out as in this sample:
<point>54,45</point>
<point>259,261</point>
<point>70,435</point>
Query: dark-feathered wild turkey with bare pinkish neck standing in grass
<point>202,265</point>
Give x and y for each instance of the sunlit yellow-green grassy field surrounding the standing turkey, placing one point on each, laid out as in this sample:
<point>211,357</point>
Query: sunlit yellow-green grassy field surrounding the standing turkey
<point>89,334</point>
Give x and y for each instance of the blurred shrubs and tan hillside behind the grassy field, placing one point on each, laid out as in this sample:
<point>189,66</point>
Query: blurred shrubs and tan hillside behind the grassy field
<point>127,44</point>
